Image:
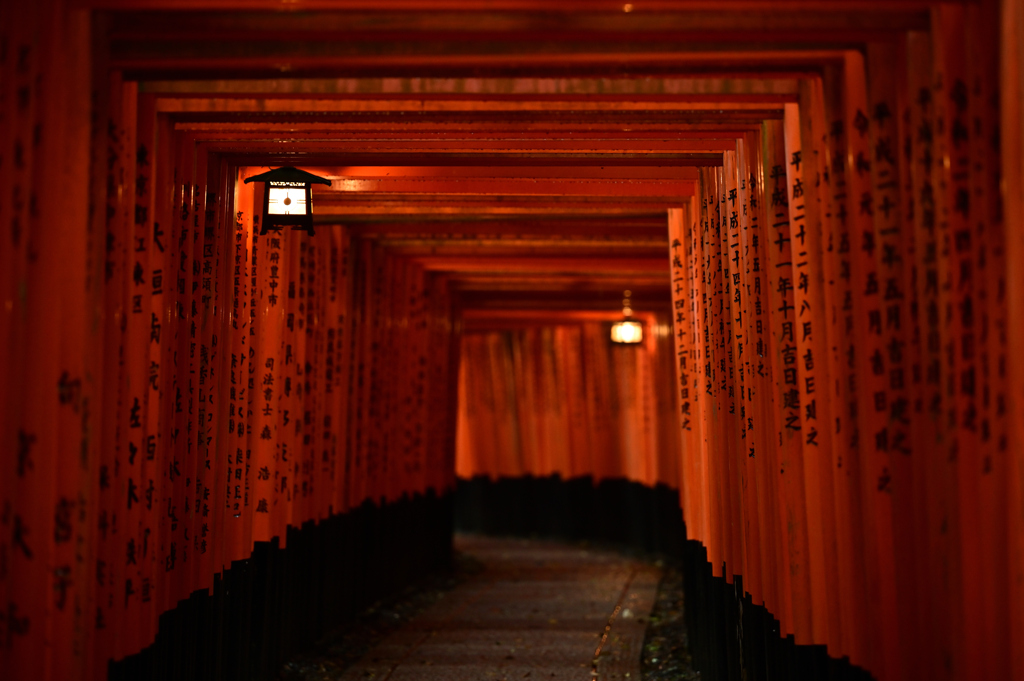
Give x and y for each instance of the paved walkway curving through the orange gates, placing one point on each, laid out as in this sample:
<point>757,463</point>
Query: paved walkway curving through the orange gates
<point>539,611</point>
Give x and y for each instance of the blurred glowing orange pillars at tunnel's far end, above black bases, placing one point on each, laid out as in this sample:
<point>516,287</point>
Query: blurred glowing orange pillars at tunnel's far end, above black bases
<point>511,422</point>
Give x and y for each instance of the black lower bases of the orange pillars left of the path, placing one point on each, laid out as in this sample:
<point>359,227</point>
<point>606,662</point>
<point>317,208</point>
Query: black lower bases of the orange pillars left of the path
<point>279,602</point>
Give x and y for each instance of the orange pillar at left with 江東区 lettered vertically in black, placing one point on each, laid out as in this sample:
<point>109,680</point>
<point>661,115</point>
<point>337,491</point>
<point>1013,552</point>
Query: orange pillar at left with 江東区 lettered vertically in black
<point>148,376</point>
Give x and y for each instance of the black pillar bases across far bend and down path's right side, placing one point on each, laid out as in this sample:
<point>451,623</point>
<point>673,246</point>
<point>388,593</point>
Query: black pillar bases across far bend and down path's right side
<point>731,639</point>
